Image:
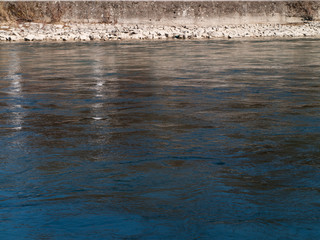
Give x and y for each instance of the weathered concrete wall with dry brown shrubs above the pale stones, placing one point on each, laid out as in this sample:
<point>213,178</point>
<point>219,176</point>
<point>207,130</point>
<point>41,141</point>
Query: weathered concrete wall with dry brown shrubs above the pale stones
<point>168,13</point>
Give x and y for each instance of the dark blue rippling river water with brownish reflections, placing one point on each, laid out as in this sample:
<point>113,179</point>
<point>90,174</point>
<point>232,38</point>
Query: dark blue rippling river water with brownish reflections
<point>160,140</point>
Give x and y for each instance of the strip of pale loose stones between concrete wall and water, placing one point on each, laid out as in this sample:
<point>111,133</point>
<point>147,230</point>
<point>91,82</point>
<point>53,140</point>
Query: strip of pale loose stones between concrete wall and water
<point>98,32</point>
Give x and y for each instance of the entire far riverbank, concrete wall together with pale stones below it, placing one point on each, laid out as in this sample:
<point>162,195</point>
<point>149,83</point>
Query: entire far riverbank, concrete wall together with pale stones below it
<point>124,20</point>
